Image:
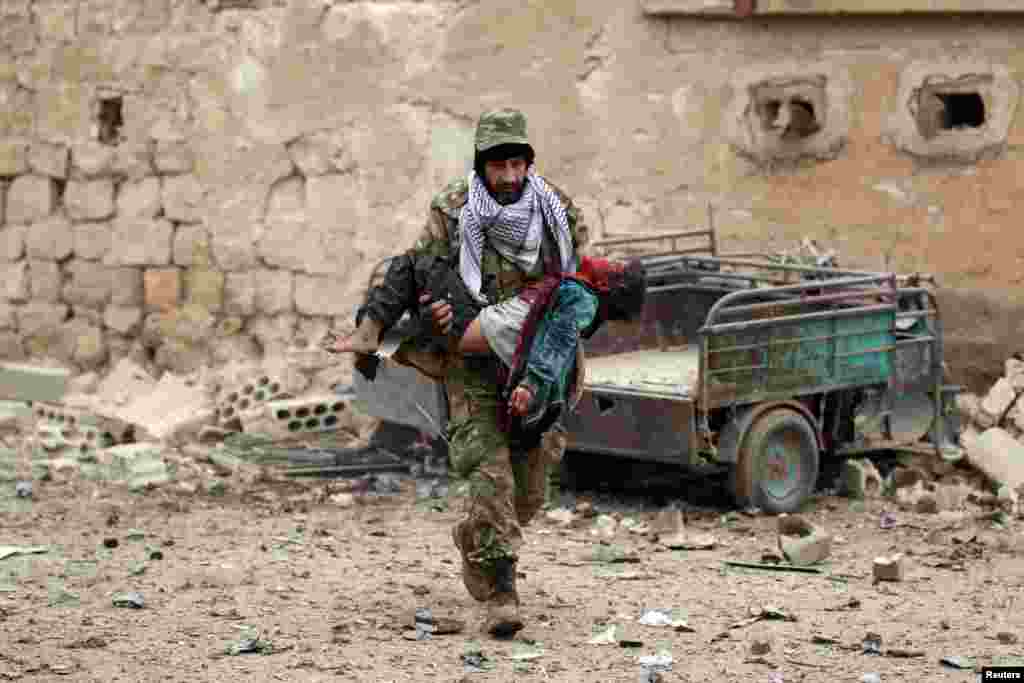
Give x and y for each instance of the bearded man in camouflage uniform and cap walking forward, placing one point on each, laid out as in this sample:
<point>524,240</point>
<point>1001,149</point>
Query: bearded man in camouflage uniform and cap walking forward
<point>506,488</point>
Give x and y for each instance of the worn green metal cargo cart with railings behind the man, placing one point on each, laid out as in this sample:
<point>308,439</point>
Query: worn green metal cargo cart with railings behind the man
<point>753,365</point>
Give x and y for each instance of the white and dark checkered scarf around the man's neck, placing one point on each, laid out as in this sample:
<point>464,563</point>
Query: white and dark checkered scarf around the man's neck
<point>509,228</point>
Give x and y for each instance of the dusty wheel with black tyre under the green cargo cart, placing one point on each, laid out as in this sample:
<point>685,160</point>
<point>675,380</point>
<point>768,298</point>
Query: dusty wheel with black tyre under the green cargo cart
<point>778,464</point>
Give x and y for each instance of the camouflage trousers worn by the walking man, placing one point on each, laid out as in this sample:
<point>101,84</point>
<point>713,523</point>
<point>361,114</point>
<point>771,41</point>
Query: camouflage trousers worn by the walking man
<point>503,490</point>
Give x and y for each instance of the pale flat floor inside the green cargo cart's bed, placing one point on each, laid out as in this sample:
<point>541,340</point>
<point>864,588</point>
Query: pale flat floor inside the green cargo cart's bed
<point>672,372</point>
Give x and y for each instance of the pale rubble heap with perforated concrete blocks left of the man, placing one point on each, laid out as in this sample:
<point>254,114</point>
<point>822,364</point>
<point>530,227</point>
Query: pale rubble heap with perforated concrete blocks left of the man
<point>133,429</point>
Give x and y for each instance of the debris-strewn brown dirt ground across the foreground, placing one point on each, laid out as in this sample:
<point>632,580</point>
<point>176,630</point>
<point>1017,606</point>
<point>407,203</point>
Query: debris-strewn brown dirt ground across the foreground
<point>330,592</point>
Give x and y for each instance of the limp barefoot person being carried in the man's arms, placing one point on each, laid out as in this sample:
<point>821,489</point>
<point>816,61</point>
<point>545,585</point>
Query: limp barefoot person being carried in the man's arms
<point>535,333</point>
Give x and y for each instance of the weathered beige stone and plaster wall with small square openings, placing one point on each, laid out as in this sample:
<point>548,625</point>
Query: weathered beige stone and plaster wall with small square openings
<point>190,181</point>
